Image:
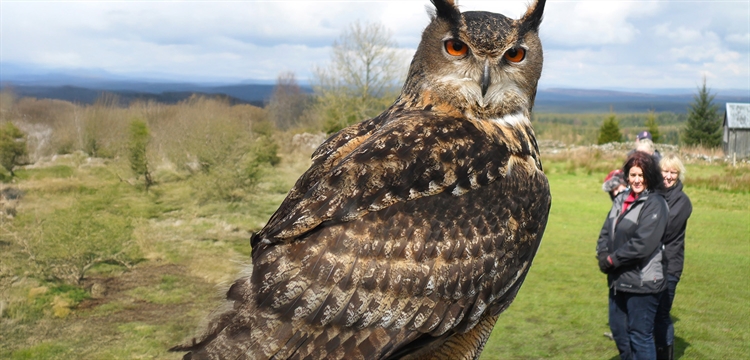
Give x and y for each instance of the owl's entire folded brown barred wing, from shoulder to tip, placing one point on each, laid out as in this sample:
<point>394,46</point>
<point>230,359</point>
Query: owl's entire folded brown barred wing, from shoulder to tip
<point>421,232</point>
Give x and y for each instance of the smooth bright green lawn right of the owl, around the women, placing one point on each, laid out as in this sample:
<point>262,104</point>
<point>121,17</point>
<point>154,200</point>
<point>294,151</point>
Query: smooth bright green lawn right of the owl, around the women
<point>561,310</point>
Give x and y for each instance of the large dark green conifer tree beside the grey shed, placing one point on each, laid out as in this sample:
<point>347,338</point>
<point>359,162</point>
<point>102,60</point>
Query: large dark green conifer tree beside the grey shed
<point>704,123</point>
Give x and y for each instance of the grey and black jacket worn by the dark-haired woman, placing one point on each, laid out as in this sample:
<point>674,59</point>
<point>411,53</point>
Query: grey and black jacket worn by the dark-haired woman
<point>633,239</point>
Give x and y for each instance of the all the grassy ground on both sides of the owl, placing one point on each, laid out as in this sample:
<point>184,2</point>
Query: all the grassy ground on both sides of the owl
<point>187,251</point>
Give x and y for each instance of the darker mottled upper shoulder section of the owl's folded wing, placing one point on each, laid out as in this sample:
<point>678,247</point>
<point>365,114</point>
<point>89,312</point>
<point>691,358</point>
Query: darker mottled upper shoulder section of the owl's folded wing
<point>403,160</point>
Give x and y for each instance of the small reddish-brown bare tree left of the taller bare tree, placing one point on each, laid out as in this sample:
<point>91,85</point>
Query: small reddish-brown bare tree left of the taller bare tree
<point>287,103</point>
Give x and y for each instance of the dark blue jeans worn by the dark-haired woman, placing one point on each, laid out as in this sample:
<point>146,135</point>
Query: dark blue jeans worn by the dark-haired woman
<point>631,319</point>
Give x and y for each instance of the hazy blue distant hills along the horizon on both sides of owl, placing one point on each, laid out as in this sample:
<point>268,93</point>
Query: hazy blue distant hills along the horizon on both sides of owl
<point>85,86</point>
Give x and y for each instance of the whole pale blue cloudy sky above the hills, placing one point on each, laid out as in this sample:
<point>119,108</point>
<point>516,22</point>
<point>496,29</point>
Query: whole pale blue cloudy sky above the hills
<point>590,44</point>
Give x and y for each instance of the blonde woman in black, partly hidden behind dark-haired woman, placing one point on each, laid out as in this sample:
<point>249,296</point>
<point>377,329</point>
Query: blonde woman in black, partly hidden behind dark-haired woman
<point>680,209</point>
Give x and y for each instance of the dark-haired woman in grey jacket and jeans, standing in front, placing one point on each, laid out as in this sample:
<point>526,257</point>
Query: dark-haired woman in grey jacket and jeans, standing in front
<point>629,250</point>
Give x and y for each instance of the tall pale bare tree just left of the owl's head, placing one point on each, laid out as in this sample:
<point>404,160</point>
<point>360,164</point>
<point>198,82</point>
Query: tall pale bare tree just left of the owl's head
<point>362,77</point>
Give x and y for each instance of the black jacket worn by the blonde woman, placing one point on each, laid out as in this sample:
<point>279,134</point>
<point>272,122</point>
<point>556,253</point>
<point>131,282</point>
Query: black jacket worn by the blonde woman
<point>680,209</point>
